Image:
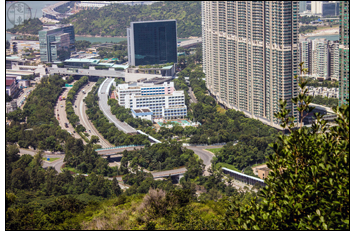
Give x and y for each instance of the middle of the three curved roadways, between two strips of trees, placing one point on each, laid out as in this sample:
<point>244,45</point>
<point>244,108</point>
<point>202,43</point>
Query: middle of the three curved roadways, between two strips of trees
<point>80,108</point>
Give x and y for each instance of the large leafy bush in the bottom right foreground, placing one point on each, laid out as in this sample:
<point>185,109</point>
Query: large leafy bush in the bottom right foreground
<point>309,182</point>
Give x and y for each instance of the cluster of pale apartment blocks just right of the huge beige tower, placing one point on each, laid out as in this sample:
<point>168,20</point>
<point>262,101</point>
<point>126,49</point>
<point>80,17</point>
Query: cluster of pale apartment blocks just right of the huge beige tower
<point>320,57</point>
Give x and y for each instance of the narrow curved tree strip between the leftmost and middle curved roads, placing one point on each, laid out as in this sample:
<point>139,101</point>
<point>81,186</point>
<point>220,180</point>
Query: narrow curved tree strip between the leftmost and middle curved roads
<point>71,116</point>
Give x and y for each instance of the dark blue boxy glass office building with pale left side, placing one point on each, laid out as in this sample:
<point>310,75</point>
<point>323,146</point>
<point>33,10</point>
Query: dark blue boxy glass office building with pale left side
<point>152,42</point>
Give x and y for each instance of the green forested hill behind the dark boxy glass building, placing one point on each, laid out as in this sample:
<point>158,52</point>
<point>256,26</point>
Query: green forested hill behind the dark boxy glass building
<point>114,19</point>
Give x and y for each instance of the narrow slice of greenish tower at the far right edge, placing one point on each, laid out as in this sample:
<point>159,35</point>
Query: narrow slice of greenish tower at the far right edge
<point>344,52</point>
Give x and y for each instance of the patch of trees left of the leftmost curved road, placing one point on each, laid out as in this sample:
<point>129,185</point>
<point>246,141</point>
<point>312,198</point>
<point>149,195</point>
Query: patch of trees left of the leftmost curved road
<point>41,129</point>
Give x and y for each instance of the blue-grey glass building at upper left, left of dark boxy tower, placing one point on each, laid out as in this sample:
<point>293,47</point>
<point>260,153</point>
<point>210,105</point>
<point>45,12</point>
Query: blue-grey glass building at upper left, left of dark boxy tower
<point>56,42</point>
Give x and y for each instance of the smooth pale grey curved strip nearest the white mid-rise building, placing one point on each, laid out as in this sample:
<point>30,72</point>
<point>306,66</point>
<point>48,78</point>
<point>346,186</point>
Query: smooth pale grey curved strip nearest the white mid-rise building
<point>105,108</point>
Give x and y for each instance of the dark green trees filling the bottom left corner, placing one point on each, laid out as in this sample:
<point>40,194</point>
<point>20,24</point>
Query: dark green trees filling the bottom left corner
<point>42,199</point>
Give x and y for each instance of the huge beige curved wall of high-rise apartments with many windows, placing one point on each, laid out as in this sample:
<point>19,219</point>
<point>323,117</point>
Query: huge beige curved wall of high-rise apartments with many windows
<point>250,55</point>
